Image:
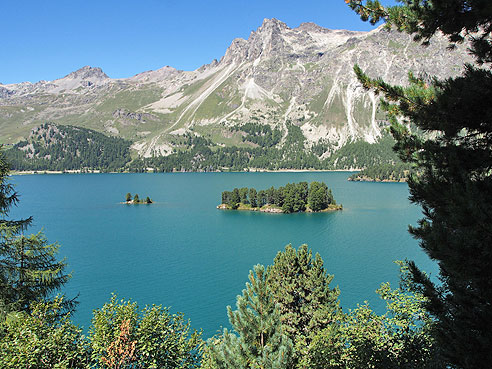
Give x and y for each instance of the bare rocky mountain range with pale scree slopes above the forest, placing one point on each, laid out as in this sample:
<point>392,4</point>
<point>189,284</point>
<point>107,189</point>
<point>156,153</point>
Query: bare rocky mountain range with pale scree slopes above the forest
<point>279,77</point>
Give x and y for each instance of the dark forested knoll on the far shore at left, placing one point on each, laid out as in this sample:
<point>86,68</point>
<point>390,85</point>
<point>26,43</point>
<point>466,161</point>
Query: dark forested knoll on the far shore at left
<point>57,147</point>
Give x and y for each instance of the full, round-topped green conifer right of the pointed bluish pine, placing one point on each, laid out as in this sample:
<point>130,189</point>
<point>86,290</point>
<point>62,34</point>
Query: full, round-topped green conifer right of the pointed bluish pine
<point>301,288</point>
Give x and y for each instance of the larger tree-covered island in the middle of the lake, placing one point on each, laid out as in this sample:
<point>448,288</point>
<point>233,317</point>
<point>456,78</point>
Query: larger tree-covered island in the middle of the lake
<point>292,198</point>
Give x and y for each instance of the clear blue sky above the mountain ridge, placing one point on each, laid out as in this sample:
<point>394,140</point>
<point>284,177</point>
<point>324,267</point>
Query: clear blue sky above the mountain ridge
<point>45,40</point>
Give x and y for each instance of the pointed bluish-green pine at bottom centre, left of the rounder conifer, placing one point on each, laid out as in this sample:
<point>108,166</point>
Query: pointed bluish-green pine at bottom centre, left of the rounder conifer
<point>260,342</point>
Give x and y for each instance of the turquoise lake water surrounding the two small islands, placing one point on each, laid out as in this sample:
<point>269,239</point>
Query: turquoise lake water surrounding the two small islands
<point>183,253</point>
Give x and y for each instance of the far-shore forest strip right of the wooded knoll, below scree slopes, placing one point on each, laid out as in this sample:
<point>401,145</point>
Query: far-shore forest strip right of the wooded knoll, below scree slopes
<point>200,154</point>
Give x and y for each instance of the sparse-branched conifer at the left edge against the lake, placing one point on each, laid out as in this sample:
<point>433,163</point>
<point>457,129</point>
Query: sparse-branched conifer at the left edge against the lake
<point>29,270</point>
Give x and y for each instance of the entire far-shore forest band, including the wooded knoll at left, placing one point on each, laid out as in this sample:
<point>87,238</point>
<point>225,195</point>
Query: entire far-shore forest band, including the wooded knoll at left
<point>57,147</point>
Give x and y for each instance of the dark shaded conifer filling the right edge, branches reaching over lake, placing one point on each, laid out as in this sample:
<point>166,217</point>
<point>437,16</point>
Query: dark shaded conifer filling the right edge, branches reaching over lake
<point>454,159</point>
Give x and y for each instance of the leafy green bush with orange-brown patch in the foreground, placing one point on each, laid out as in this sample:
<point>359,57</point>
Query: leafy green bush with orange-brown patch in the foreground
<point>151,338</point>
